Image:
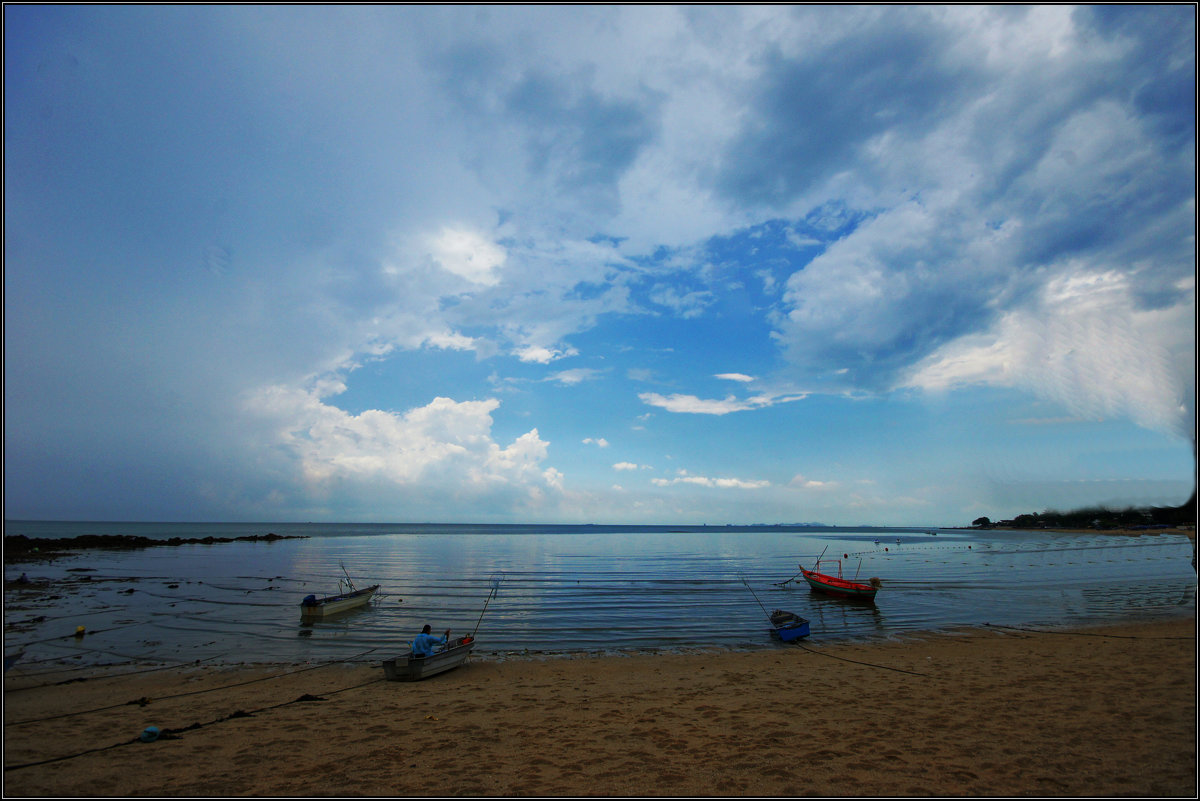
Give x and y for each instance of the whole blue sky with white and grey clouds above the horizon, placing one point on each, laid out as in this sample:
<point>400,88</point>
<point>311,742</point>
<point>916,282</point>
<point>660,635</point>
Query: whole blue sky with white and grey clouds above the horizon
<point>890,266</point>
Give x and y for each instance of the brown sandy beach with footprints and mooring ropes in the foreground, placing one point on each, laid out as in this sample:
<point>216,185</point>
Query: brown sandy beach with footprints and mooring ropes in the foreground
<point>1107,712</point>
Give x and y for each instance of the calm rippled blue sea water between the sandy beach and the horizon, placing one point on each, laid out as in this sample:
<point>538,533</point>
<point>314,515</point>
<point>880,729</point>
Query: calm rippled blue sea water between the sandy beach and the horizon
<point>565,589</point>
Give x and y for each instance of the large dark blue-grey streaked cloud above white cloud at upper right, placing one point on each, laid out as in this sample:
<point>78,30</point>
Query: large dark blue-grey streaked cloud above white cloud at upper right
<point>994,168</point>
